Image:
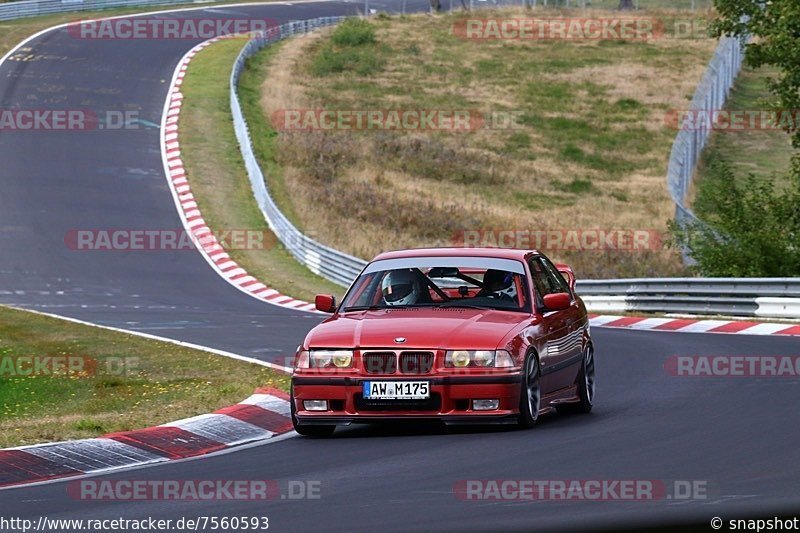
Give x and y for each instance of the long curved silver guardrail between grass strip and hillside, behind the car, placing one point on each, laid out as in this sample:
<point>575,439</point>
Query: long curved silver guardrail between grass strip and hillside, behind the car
<point>331,264</point>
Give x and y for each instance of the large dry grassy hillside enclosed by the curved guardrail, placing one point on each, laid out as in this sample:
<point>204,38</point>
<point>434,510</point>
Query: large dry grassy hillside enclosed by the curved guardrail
<point>589,151</point>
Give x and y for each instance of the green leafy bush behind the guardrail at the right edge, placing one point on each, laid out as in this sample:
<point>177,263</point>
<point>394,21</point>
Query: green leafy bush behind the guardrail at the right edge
<point>749,228</point>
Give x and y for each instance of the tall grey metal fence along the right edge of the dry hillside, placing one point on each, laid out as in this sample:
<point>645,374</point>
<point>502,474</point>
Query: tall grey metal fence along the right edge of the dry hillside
<point>710,95</point>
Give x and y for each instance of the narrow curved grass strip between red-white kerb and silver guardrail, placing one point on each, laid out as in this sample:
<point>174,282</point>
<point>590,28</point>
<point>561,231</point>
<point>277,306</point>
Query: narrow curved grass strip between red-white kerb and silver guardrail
<point>219,181</point>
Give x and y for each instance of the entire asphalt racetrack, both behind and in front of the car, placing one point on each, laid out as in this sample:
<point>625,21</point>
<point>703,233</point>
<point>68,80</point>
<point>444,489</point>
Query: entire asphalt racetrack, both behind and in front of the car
<point>739,435</point>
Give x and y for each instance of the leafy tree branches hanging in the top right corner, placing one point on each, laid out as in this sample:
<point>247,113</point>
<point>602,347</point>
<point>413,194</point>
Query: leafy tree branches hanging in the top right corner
<point>776,26</point>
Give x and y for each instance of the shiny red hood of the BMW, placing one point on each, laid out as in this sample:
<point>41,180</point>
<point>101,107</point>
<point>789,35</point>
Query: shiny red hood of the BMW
<point>452,328</point>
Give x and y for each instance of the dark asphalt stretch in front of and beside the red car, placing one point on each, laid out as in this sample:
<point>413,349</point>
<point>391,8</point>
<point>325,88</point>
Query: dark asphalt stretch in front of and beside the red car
<point>740,436</point>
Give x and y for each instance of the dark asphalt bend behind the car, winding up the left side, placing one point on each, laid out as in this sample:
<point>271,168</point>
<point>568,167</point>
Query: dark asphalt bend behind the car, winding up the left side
<point>53,182</point>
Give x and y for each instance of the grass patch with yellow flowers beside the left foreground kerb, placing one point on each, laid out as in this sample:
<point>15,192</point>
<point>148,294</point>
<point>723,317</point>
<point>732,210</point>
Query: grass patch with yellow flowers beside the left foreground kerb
<point>120,382</point>
